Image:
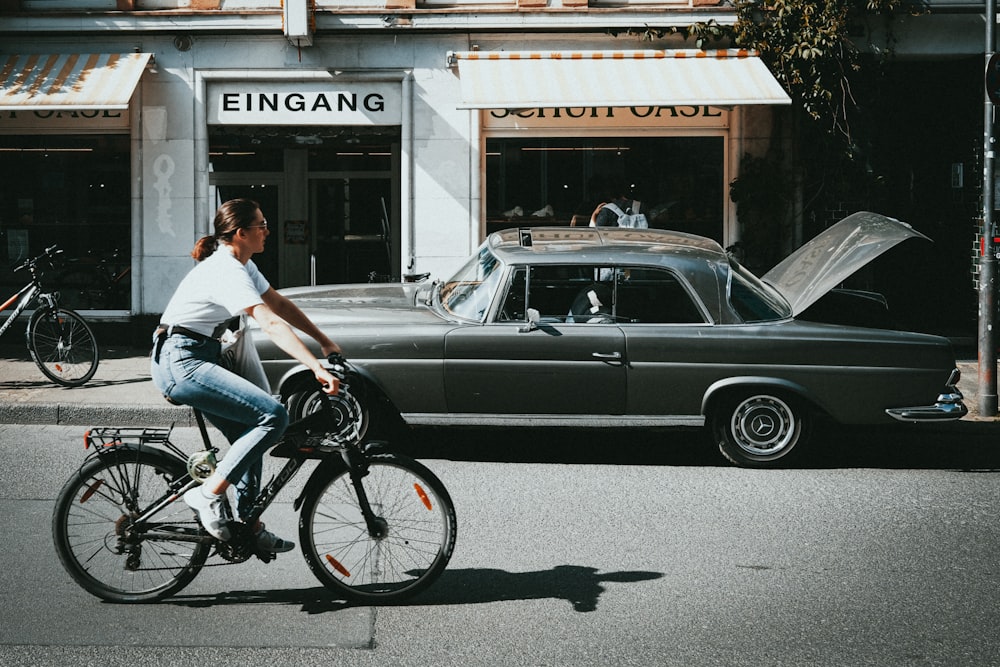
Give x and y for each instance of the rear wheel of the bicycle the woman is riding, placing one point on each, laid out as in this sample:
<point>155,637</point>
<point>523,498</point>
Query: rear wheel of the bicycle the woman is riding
<point>91,514</point>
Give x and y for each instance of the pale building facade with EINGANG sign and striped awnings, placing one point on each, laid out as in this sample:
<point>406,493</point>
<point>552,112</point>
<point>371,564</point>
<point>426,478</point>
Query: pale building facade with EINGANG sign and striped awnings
<point>382,141</point>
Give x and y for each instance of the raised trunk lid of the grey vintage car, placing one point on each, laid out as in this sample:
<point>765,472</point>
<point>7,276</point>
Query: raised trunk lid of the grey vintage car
<point>826,261</point>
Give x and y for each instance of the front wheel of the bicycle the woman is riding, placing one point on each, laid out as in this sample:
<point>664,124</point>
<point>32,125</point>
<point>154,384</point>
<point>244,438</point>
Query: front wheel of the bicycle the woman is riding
<point>419,539</point>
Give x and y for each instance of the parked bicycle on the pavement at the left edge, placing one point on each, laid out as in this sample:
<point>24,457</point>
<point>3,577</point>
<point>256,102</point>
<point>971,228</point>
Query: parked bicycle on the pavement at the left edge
<point>60,341</point>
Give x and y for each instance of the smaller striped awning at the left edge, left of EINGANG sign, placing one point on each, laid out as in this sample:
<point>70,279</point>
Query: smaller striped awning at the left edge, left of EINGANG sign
<point>69,81</point>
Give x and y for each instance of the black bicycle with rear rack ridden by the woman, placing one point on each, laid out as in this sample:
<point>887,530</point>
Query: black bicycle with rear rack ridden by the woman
<point>375,526</point>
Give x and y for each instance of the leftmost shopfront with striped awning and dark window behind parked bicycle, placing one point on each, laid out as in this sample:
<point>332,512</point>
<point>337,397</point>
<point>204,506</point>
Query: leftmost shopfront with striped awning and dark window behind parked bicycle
<point>65,152</point>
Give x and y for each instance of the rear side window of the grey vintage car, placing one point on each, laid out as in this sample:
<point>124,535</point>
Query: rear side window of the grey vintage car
<point>654,296</point>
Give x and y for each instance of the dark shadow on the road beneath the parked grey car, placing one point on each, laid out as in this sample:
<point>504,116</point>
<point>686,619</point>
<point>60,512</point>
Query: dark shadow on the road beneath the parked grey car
<point>961,445</point>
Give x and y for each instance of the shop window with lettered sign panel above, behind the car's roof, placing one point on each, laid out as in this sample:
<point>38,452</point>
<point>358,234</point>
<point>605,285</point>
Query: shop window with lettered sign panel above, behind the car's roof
<point>554,166</point>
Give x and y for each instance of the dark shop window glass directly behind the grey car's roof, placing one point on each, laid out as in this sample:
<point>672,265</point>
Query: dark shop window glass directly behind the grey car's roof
<point>560,181</point>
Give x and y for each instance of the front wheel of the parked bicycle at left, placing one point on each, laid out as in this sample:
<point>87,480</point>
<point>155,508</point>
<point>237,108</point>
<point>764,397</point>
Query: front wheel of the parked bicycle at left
<point>63,346</point>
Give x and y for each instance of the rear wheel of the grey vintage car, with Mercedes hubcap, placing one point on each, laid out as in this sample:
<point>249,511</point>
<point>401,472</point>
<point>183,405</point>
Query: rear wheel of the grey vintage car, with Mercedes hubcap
<point>759,430</point>
